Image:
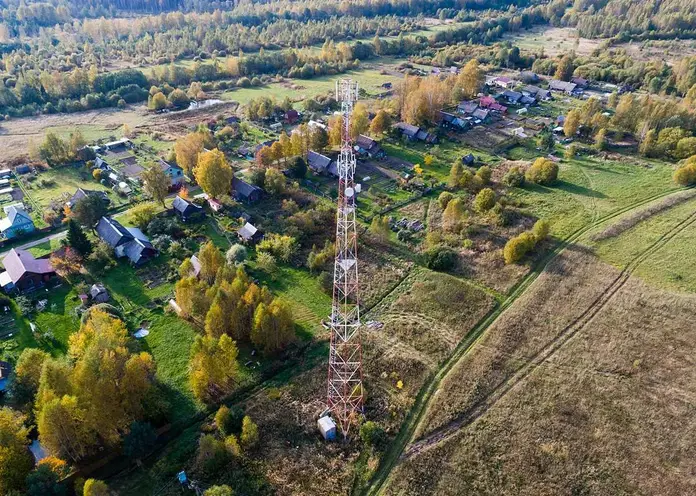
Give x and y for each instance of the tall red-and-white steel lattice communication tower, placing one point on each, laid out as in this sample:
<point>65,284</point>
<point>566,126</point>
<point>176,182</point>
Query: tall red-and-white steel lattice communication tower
<point>345,394</point>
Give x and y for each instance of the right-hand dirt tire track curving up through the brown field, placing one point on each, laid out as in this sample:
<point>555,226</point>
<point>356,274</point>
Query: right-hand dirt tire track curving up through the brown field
<point>578,324</point>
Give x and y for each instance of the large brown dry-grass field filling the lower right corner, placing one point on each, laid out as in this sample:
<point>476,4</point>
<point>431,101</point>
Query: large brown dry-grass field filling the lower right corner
<point>577,425</point>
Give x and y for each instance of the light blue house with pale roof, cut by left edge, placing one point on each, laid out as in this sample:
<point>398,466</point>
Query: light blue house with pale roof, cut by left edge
<point>23,272</point>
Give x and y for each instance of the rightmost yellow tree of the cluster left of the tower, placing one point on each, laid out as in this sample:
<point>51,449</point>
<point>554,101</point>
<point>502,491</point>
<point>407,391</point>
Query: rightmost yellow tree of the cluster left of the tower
<point>273,327</point>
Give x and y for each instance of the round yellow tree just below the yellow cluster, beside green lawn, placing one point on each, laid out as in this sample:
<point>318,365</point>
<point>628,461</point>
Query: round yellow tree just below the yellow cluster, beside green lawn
<point>214,367</point>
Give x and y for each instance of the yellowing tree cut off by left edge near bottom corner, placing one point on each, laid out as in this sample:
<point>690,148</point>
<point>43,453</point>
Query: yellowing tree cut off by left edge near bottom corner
<point>15,459</point>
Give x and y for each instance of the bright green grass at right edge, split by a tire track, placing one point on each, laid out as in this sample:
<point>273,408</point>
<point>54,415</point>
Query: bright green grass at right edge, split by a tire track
<point>670,267</point>
